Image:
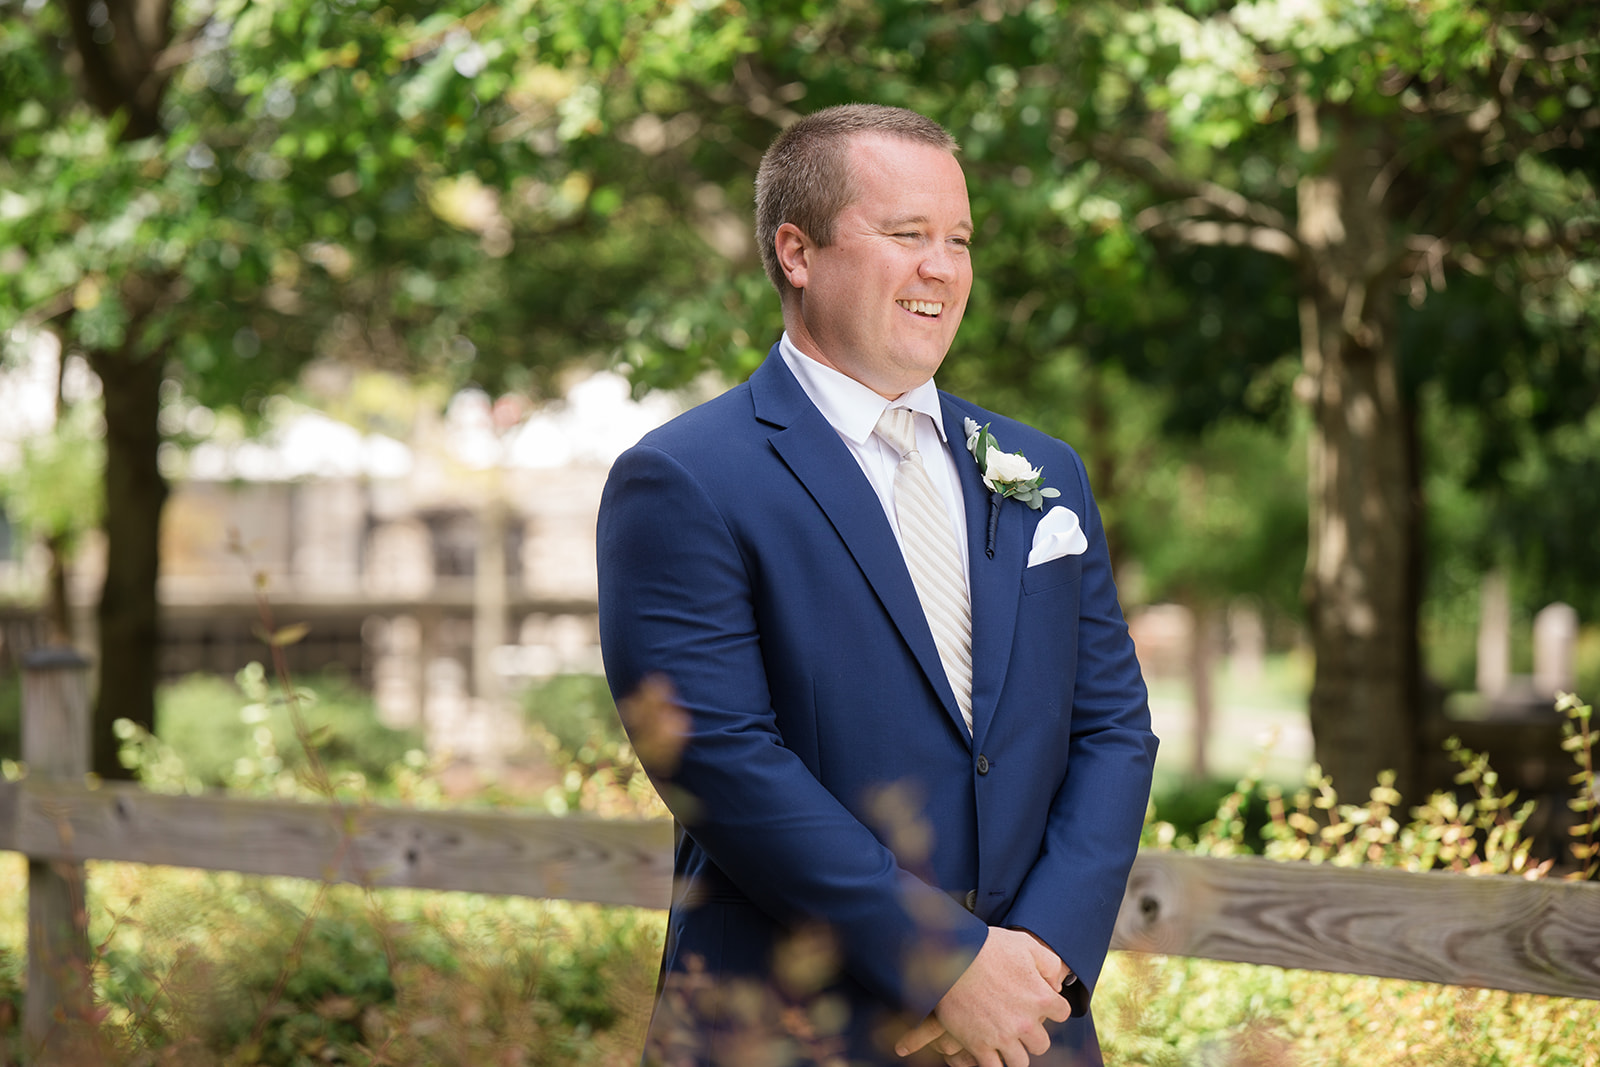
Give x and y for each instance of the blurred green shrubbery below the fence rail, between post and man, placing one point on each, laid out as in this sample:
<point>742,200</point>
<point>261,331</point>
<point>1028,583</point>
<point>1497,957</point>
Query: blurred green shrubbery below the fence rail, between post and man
<point>241,970</point>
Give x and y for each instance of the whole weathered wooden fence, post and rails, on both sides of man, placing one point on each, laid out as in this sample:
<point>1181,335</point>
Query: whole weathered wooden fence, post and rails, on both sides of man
<point>1494,932</point>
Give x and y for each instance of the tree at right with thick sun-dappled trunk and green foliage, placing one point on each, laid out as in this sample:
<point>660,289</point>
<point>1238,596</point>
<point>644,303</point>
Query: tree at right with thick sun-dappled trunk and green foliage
<point>1410,166</point>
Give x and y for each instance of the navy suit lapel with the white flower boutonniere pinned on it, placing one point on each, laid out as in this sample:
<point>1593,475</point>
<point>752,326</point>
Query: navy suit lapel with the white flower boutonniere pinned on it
<point>998,581</point>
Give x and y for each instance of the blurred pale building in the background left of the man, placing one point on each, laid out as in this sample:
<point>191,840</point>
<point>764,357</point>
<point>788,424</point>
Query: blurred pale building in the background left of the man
<point>444,572</point>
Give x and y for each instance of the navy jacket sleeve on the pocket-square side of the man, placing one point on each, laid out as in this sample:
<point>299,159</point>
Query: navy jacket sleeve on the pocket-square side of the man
<point>1074,890</point>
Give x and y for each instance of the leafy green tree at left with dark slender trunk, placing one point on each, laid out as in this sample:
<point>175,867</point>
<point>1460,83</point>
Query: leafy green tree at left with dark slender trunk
<point>220,194</point>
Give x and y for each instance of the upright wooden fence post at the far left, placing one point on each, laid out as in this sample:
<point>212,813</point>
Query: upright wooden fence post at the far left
<point>57,748</point>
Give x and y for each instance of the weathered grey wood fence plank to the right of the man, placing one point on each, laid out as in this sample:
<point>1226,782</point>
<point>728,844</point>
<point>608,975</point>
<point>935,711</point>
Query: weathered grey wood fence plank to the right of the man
<point>1494,932</point>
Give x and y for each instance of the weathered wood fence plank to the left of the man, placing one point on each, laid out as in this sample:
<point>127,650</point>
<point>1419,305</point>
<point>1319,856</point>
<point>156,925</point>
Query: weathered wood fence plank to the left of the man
<point>575,858</point>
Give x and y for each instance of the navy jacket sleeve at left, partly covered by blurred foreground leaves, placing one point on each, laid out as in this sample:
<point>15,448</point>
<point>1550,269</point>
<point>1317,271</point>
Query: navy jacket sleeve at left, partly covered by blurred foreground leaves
<point>676,599</point>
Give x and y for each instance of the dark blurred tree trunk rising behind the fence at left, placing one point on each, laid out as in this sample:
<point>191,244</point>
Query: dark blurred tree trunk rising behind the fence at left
<point>135,495</point>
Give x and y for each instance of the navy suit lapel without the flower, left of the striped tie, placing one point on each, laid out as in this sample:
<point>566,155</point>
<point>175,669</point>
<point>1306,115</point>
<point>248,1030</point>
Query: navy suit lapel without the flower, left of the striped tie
<point>812,450</point>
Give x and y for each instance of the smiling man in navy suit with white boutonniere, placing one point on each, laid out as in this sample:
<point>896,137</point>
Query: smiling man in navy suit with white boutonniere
<point>914,748</point>
